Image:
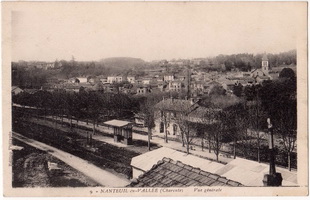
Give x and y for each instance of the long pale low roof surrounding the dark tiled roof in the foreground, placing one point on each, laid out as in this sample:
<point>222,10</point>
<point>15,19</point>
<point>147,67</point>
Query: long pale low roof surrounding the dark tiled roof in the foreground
<point>245,172</point>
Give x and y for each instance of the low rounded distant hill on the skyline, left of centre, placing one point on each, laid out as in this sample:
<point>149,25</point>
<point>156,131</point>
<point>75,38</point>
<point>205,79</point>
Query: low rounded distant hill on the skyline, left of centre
<point>123,62</point>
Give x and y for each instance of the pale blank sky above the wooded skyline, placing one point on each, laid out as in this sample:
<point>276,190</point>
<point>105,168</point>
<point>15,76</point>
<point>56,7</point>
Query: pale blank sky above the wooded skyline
<point>151,31</point>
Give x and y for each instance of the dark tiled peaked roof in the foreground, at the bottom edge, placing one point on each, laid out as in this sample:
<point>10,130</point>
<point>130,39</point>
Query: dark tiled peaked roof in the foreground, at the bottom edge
<point>170,173</point>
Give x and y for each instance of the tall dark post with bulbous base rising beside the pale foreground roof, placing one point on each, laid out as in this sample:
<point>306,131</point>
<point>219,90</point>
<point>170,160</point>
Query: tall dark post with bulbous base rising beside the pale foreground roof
<point>273,178</point>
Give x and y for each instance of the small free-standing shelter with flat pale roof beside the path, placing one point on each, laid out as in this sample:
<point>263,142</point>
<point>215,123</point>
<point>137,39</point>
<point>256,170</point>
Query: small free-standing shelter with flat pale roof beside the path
<point>122,130</point>
